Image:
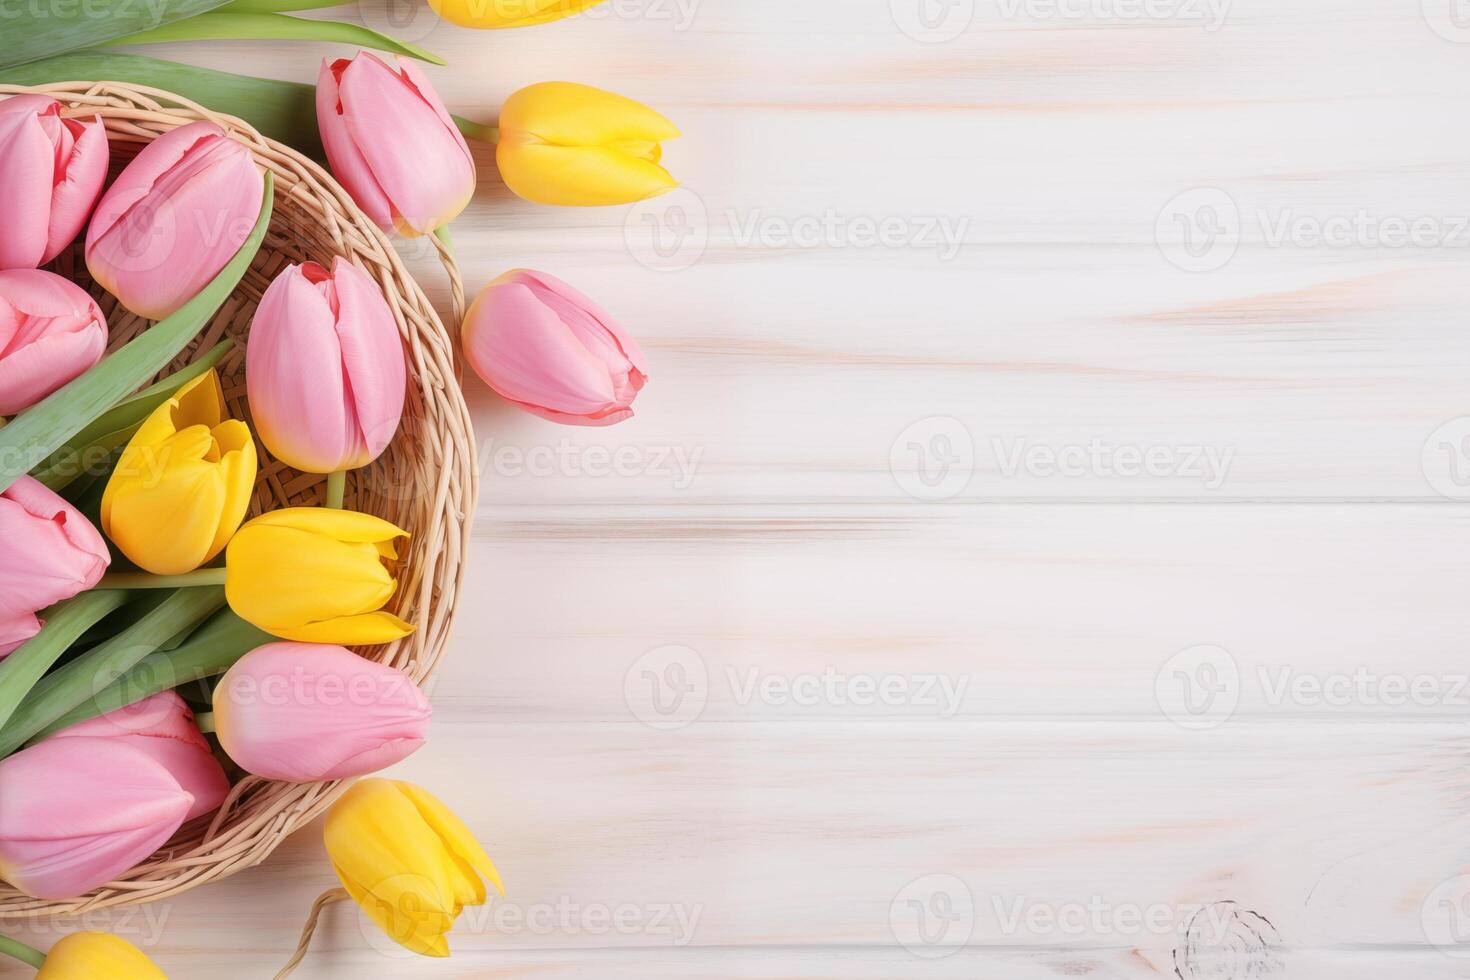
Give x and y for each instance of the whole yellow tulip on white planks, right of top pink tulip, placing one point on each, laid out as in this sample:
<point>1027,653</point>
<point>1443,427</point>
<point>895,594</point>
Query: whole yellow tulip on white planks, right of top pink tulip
<point>574,145</point>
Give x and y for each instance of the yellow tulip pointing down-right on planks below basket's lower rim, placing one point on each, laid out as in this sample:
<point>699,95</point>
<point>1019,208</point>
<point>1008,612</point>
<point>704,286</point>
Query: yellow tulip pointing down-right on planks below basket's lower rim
<point>408,860</point>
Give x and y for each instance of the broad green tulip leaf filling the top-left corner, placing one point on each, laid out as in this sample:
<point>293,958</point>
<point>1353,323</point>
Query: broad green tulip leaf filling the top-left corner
<point>40,30</point>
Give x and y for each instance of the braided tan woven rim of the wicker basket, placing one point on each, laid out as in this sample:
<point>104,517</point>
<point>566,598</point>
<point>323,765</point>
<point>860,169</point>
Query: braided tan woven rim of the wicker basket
<point>442,477</point>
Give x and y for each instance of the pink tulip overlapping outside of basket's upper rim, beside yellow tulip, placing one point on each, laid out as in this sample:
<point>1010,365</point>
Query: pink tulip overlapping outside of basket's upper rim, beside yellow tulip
<point>393,145</point>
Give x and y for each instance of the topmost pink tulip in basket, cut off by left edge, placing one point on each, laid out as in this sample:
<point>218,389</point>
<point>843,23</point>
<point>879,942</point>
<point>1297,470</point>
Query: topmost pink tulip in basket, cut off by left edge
<point>52,171</point>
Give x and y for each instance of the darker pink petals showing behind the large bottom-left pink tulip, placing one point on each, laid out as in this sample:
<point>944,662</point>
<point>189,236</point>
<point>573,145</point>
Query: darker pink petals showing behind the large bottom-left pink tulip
<point>162,728</point>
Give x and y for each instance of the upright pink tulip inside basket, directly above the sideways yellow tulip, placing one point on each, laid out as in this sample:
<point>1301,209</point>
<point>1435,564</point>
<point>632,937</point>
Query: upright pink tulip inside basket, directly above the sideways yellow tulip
<point>324,368</point>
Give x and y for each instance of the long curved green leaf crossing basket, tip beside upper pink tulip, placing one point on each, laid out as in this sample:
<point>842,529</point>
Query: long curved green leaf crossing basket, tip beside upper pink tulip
<point>43,428</point>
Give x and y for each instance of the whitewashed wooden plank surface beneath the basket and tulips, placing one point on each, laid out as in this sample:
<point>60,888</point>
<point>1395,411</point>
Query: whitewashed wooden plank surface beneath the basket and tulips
<point>861,696</point>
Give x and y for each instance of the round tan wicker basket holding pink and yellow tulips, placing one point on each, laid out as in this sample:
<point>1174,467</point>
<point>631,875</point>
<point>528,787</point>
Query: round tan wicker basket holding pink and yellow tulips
<point>426,483</point>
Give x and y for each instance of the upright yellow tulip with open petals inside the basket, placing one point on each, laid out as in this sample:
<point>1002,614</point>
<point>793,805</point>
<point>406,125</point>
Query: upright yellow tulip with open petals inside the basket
<point>184,483</point>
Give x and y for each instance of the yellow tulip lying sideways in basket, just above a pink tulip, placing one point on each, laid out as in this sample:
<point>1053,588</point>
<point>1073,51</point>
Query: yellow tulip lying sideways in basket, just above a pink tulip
<point>317,575</point>
